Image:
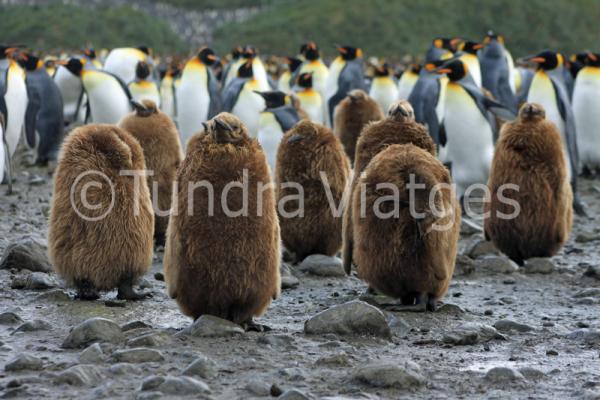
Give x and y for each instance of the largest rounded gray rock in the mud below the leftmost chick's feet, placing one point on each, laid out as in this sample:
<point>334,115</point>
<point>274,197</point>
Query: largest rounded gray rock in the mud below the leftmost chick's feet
<point>93,330</point>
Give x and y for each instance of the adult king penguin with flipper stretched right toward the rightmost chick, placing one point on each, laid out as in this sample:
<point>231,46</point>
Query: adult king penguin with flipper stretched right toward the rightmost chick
<point>469,129</point>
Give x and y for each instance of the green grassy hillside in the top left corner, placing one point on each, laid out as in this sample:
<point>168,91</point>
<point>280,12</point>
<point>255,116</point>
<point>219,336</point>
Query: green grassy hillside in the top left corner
<point>71,27</point>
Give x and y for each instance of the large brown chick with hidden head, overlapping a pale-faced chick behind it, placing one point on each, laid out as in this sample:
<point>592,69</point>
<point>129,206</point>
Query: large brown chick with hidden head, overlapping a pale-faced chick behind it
<point>405,245</point>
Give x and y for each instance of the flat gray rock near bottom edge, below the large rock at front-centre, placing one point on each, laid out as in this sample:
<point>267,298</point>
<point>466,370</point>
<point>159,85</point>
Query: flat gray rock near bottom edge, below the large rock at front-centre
<point>401,375</point>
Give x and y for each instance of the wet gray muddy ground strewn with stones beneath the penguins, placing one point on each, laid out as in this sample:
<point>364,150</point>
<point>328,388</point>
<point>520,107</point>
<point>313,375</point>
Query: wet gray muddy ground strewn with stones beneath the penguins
<point>556,354</point>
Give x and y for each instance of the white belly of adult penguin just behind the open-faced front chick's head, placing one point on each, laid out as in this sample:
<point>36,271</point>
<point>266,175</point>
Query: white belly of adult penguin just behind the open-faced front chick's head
<point>193,101</point>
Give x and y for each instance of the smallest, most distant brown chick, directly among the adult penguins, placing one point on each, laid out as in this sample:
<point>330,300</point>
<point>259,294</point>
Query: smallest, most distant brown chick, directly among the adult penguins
<point>351,115</point>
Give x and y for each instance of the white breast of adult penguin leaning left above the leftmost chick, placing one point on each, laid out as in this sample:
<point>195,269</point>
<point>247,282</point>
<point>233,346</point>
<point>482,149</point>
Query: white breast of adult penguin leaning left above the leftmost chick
<point>107,99</point>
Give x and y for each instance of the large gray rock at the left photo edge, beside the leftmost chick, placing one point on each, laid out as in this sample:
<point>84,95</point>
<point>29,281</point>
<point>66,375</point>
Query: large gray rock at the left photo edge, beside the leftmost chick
<point>28,252</point>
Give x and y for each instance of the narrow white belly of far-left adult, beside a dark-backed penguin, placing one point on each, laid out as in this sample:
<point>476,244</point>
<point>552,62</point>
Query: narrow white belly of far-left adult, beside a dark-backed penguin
<point>16,105</point>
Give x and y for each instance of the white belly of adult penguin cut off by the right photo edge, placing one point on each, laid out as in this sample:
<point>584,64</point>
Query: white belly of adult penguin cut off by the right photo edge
<point>586,109</point>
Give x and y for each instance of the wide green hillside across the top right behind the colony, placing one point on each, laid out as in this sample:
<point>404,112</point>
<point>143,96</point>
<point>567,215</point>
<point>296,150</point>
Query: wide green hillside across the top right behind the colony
<point>395,27</point>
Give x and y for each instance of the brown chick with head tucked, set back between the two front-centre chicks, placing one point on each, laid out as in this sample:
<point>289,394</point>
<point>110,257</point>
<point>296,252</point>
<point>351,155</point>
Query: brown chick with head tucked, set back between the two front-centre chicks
<point>311,227</point>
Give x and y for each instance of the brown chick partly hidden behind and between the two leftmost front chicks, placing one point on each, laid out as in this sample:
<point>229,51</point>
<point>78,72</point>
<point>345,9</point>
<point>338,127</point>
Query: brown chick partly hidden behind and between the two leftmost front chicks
<point>158,136</point>
